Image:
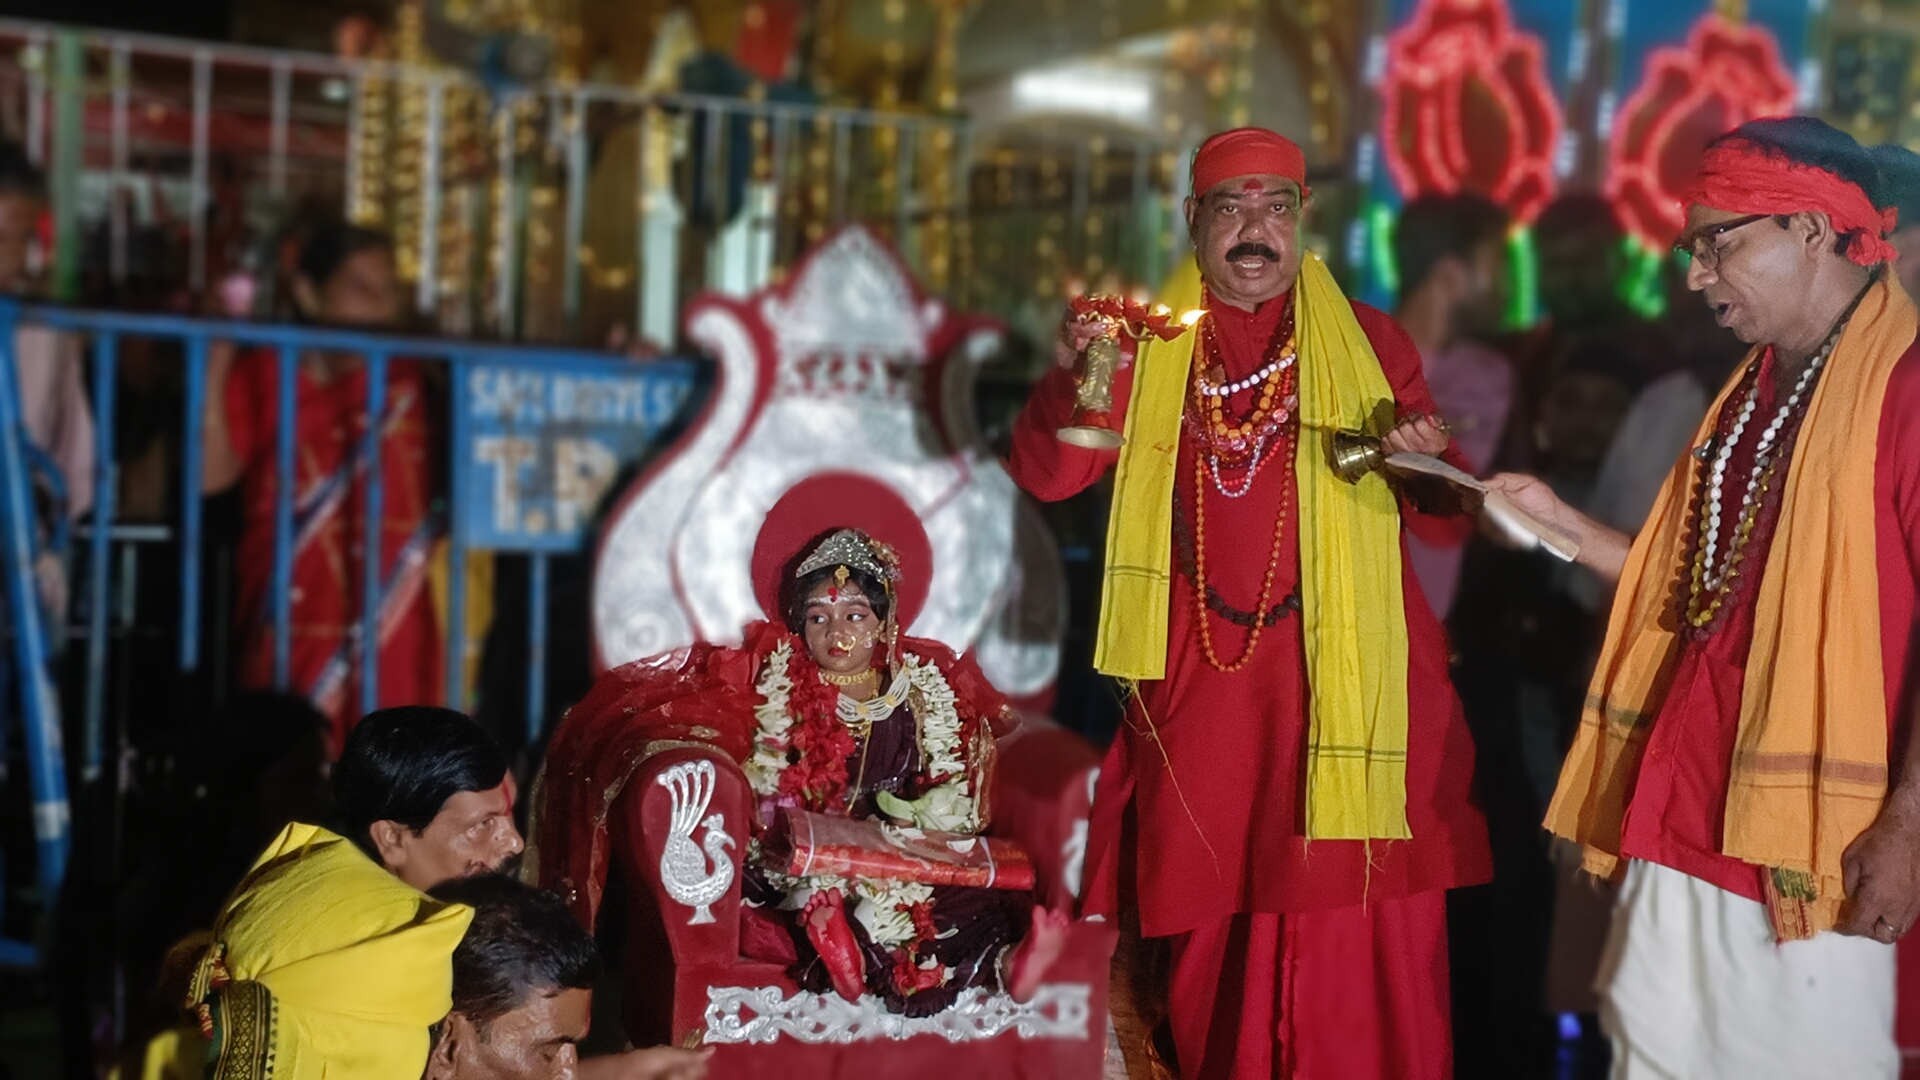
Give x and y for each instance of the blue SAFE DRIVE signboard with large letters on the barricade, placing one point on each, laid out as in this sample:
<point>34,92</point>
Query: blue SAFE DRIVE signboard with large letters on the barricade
<point>539,445</point>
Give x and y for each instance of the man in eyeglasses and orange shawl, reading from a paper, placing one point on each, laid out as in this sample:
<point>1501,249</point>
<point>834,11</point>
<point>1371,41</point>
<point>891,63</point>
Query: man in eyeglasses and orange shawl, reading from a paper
<point>1744,762</point>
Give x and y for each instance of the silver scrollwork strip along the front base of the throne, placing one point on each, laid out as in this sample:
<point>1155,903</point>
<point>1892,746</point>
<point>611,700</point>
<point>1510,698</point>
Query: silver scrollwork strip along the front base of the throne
<point>765,1016</point>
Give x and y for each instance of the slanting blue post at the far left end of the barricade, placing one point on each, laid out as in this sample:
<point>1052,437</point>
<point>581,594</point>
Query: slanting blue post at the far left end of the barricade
<point>39,706</point>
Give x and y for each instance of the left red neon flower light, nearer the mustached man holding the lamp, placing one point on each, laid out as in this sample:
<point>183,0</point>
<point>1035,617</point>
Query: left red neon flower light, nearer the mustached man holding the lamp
<point>1468,107</point>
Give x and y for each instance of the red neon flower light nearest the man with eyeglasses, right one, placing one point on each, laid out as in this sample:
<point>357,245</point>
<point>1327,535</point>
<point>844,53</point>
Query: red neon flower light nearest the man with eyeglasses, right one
<point>1721,80</point>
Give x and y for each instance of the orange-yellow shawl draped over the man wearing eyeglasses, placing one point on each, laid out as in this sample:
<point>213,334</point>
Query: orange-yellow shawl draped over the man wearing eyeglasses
<point>1812,760</point>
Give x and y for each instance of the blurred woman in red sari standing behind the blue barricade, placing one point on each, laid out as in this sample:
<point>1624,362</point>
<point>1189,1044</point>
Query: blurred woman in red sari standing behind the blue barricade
<point>345,278</point>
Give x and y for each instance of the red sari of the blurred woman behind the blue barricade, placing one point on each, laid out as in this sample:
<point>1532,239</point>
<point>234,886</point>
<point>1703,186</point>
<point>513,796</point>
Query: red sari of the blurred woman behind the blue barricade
<point>329,520</point>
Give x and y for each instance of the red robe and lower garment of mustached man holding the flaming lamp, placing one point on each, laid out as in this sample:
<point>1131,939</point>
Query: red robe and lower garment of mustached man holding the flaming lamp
<point>1211,766</point>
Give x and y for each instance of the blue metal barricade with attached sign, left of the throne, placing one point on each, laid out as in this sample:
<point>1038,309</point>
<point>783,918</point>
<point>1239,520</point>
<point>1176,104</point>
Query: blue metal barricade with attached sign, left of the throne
<point>537,437</point>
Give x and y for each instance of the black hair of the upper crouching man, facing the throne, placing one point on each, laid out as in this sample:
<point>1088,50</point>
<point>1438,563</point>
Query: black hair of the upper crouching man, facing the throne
<point>406,764</point>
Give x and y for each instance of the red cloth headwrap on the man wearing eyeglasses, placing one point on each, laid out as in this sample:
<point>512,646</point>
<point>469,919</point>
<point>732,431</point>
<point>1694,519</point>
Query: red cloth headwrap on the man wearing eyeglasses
<point>1744,178</point>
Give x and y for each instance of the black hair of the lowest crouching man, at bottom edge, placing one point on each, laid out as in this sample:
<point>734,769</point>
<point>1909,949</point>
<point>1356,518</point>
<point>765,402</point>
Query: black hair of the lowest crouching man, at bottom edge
<point>521,943</point>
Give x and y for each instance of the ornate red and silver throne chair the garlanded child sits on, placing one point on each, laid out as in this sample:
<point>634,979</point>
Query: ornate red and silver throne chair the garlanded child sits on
<point>842,399</point>
